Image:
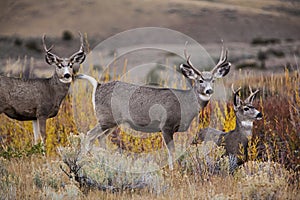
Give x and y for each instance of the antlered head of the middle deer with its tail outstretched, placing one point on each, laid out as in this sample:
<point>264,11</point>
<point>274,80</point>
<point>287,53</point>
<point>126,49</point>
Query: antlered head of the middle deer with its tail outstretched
<point>204,81</point>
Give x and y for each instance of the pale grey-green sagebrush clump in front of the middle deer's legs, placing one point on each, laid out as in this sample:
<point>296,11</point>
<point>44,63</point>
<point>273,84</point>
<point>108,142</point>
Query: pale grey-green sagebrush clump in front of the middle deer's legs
<point>102,170</point>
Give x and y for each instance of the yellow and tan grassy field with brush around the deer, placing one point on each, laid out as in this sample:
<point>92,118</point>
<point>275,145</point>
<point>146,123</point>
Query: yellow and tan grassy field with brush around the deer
<point>272,171</point>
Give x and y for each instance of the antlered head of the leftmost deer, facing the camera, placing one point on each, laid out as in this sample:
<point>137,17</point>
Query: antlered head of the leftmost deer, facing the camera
<point>64,66</point>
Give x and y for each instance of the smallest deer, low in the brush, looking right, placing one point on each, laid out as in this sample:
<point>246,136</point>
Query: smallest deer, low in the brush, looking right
<point>235,141</point>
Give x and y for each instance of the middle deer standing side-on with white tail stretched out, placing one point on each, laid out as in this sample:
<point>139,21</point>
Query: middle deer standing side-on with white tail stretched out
<point>150,109</point>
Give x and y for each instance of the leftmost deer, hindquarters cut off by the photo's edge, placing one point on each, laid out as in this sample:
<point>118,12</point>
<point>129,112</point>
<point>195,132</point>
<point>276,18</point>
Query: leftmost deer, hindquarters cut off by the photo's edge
<point>39,99</point>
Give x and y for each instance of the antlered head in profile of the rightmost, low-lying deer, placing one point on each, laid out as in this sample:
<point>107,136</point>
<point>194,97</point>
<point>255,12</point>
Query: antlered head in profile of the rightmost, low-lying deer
<point>244,110</point>
